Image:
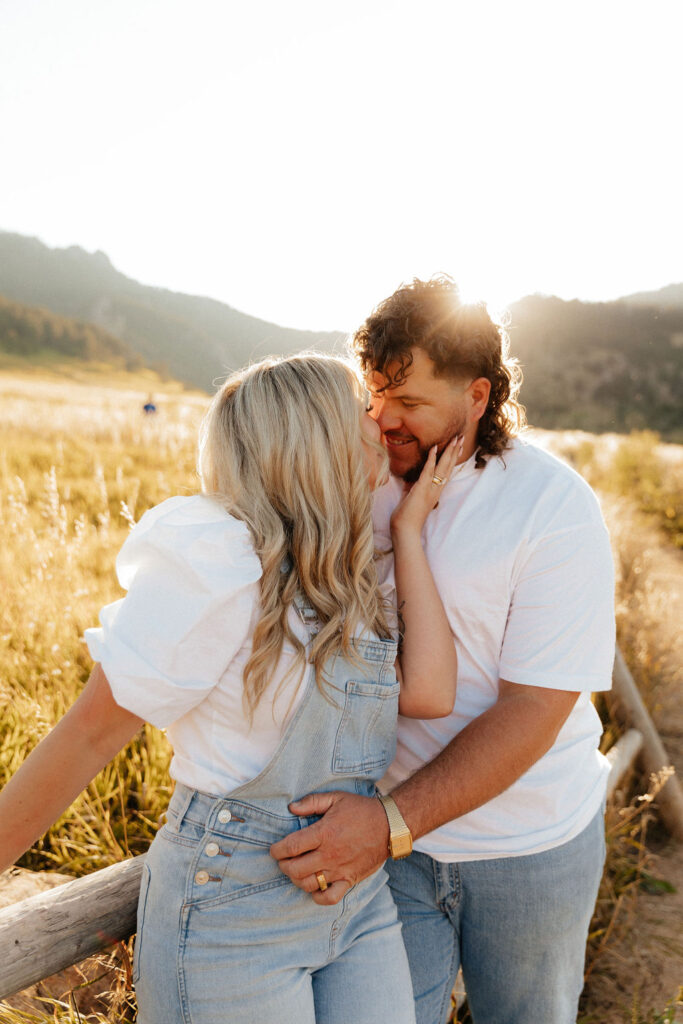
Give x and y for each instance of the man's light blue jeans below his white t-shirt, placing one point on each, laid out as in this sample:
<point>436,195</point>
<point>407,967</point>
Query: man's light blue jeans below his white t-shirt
<point>517,925</point>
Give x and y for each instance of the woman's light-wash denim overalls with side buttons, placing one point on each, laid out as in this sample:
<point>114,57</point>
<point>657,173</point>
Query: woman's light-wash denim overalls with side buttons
<point>224,936</point>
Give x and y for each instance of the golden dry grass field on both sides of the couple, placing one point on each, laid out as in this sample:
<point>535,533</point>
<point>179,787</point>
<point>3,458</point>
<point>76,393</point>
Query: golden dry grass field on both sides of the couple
<point>79,463</point>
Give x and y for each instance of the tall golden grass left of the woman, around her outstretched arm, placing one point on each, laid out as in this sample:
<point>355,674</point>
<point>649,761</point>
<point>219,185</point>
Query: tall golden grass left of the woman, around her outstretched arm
<point>79,465</point>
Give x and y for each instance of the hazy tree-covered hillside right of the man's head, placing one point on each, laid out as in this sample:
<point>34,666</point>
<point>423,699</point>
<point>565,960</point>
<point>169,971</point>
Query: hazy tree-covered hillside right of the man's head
<point>601,366</point>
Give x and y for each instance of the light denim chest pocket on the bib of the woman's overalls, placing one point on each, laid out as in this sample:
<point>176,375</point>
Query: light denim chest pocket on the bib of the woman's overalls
<point>366,740</point>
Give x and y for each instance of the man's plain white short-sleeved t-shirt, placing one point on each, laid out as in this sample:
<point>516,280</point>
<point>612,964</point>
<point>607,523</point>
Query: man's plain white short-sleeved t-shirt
<point>522,559</point>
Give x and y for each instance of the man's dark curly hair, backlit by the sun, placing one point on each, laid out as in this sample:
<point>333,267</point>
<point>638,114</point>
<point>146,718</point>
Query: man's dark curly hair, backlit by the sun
<point>461,340</point>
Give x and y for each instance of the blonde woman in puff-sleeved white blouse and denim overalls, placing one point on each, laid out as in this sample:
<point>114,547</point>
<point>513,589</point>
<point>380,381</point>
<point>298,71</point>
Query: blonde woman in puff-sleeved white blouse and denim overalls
<point>232,595</point>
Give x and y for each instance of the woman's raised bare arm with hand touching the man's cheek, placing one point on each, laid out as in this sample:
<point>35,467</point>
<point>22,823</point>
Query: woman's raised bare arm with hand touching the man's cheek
<point>429,664</point>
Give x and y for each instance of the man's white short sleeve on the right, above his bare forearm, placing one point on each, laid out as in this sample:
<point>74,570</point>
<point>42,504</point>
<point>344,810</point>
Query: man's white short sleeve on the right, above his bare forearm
<point>561,629</point>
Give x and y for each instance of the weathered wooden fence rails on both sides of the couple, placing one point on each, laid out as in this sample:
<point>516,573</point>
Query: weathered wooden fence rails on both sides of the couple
<point>52,931</point>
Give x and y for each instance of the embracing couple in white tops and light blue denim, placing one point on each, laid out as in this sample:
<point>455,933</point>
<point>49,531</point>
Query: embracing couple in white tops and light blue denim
<point>324,861</point>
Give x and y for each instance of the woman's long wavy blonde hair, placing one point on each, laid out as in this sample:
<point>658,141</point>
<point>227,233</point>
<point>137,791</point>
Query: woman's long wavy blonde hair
<point>282,449</point>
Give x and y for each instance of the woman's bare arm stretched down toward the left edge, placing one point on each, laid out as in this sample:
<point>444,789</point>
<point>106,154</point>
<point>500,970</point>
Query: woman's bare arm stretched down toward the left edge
<point>92,733</point>
